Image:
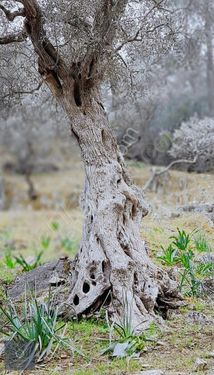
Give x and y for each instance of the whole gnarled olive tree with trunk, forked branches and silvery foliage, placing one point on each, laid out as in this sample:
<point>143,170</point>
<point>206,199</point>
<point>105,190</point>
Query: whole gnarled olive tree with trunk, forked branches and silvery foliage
<point>80,46</point>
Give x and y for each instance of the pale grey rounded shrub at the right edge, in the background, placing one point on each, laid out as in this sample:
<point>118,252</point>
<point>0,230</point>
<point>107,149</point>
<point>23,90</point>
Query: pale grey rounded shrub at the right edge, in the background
<point>195,139</point>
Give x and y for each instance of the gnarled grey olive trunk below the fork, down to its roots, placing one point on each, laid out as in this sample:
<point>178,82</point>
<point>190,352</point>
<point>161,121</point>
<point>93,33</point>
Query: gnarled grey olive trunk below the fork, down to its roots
<point>112,257</point>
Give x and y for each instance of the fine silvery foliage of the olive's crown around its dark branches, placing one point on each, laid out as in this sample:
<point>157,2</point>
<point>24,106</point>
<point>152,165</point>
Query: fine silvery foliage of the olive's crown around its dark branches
<point>146,31</point>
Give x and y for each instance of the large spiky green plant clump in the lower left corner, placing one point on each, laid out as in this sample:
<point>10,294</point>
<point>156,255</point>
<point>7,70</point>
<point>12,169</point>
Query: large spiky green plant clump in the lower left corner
<point>36,325</point>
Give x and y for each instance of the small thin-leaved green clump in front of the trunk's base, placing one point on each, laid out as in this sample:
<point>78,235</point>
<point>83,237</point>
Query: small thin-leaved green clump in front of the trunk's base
<point>126,341</point>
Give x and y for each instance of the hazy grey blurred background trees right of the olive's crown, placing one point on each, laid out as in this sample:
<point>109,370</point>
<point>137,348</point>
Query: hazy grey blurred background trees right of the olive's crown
<point>184,86</point>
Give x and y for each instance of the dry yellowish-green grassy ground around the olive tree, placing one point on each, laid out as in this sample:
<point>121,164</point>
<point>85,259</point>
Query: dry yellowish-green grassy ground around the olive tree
<point>24,229</point>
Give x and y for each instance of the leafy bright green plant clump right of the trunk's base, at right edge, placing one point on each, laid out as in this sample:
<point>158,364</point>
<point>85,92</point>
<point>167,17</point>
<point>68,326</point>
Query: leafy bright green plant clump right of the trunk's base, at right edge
<point>181,252</point>
